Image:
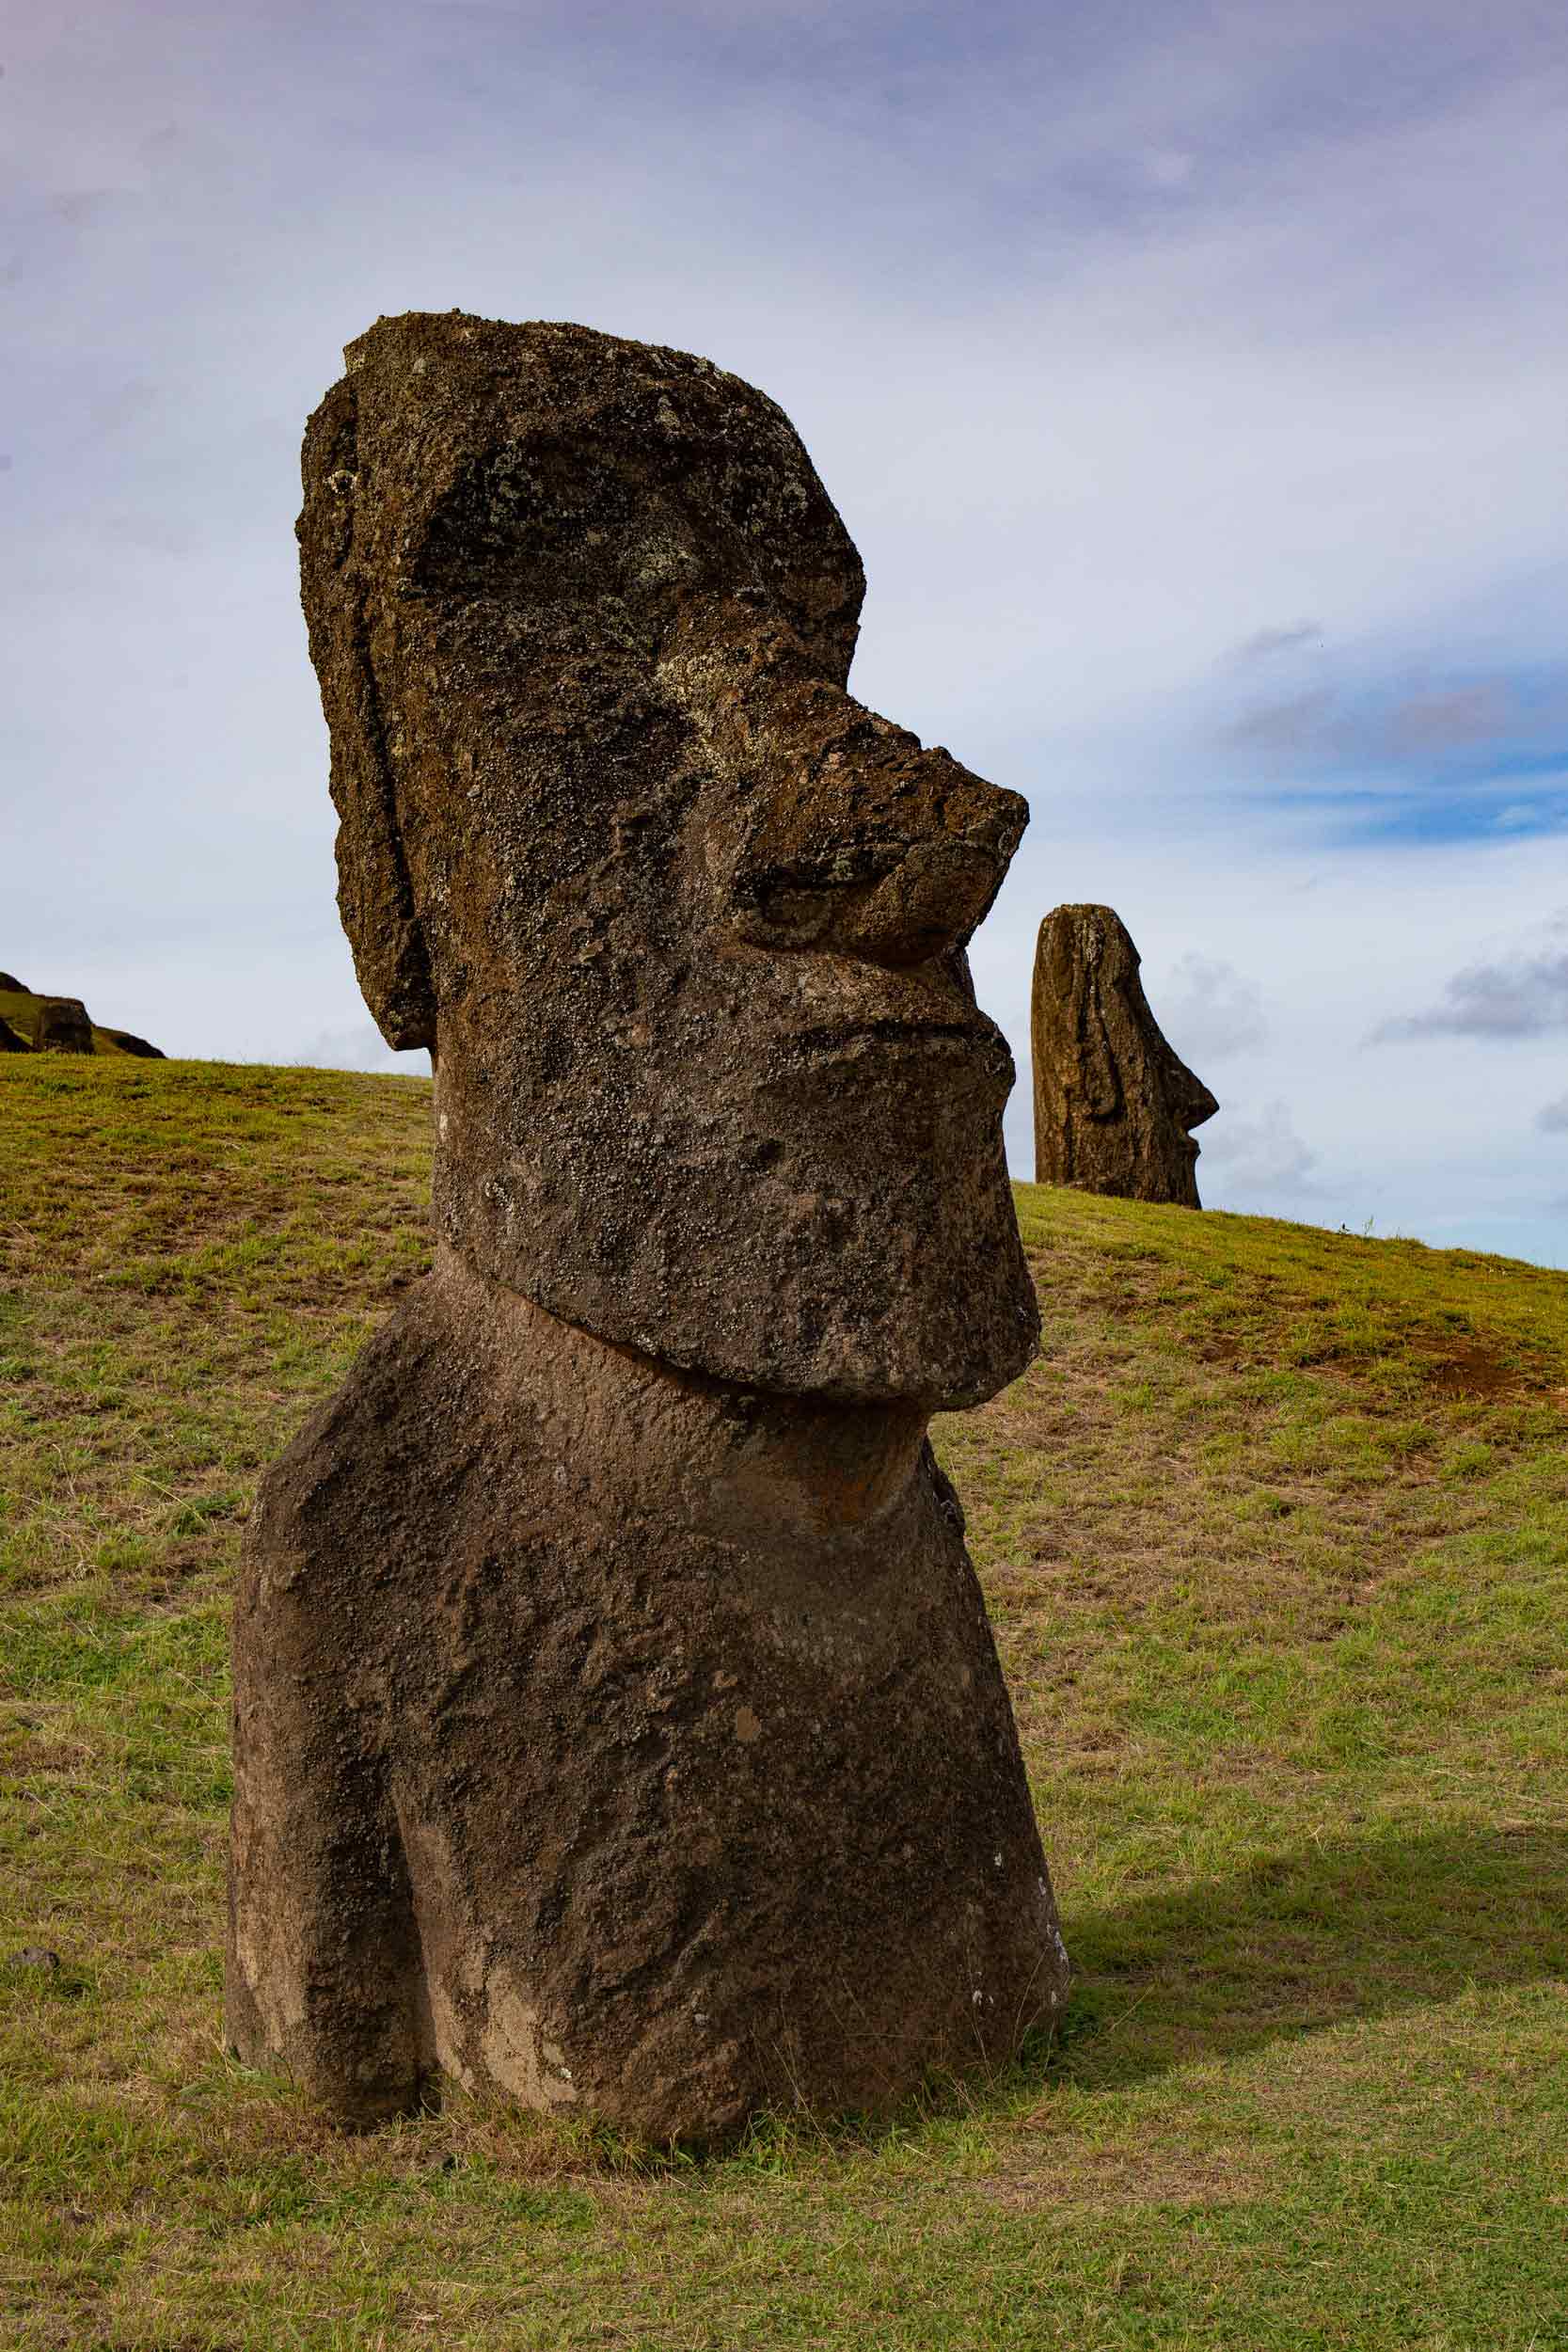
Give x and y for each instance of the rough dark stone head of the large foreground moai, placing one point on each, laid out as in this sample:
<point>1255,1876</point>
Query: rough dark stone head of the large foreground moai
<point>681,923</point>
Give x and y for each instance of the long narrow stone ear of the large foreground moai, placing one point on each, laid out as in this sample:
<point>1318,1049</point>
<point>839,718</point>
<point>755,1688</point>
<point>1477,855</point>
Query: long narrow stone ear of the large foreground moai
<point>375,890</point>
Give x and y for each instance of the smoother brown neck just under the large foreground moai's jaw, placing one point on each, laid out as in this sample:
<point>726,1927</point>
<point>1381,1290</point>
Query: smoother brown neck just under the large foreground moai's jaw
<point>629,1434</point>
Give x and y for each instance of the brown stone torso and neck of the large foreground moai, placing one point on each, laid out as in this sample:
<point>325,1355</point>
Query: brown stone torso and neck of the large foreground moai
<point>619,1739</point>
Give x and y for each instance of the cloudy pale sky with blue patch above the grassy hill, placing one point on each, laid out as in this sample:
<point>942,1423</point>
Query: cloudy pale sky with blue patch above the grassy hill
<point>1193,380</point>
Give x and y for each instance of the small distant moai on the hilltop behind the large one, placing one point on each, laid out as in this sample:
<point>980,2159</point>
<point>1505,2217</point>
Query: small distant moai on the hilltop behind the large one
<point>1113,1104</point>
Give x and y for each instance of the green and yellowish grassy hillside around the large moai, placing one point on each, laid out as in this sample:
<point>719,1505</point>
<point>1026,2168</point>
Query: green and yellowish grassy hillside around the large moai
<point>1275,1537</point>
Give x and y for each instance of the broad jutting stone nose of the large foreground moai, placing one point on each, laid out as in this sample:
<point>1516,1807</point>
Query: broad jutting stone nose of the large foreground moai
<point>864,843</point>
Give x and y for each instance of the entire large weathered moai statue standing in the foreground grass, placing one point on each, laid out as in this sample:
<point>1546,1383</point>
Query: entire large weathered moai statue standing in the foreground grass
<point>617,1716</point>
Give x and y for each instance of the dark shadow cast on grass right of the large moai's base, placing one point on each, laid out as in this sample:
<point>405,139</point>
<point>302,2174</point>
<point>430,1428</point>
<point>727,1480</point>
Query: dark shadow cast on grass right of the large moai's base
<point>1308,1939</point>
